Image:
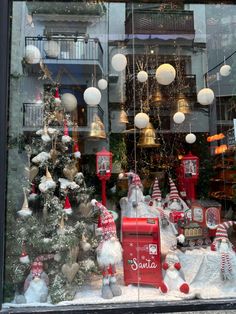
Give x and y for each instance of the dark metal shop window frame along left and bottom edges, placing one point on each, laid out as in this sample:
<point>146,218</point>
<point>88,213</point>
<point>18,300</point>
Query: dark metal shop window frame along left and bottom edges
<point>125,308</point>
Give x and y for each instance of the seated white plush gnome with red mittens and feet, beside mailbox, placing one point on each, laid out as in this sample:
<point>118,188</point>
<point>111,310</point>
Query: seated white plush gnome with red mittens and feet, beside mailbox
<point>173,278</point>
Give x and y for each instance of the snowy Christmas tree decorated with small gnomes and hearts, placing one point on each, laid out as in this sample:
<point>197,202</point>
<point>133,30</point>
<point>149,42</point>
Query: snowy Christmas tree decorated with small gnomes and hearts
<point>50,236</point>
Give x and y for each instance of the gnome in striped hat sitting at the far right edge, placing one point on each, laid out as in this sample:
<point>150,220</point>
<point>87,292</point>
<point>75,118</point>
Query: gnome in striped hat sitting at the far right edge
<point>222,245</point>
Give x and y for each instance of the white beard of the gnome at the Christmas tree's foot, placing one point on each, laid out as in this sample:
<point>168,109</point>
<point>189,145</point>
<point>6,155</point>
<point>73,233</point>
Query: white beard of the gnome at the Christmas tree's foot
<point>36,290</point>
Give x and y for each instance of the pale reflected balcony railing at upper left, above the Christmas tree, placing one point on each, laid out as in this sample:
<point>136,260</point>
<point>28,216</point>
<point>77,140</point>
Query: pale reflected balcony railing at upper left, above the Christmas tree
<point>68,48</point>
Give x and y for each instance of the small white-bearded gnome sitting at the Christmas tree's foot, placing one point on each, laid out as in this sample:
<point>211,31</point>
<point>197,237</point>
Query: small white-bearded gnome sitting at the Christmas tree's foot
<point>36,284</point>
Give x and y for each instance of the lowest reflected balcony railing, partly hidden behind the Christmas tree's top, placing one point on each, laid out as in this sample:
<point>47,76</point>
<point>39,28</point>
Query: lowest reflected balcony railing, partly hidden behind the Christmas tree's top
<point>33,114</point>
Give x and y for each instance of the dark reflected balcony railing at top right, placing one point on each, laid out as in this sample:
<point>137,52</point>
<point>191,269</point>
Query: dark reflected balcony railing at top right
<point>149,22</point>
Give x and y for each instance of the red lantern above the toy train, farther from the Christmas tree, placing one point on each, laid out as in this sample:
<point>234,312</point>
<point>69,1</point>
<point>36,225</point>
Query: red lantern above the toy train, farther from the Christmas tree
<point>190,166</point>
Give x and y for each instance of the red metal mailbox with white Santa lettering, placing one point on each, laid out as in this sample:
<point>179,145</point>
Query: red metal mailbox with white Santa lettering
<point>141,251</point>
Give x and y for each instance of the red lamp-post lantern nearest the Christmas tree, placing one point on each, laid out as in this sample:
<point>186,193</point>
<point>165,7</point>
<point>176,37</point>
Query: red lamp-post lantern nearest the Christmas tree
<point>103,169</point>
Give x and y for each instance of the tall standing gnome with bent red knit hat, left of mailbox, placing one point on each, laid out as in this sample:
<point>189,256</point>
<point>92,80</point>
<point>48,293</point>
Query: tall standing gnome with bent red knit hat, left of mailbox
<point>109,251</point>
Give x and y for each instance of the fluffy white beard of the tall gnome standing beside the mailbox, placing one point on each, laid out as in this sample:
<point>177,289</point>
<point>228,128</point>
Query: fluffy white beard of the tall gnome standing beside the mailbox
<point>109,252</point>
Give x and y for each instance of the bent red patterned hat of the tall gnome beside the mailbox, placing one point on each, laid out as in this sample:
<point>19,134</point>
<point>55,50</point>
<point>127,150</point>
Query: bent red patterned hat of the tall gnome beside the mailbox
<point>106,223</point>
